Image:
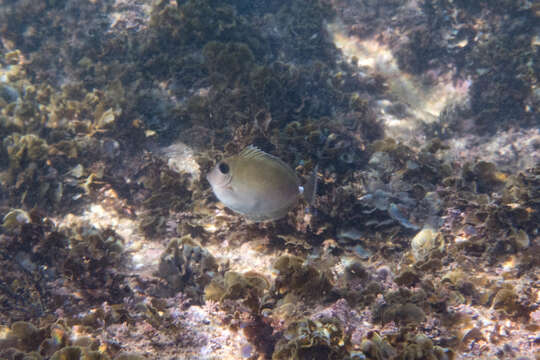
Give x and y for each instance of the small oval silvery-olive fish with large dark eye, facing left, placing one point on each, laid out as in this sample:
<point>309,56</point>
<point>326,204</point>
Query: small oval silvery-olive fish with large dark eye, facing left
<point>257,185</point>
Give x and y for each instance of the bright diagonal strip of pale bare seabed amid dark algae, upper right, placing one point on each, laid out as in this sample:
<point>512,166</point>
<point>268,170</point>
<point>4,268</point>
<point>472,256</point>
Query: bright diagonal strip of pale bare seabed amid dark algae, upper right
<point>424,102</point>
